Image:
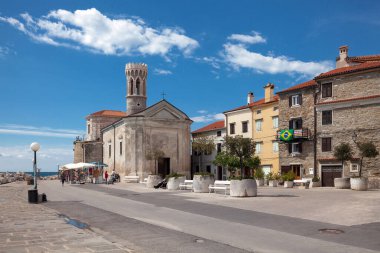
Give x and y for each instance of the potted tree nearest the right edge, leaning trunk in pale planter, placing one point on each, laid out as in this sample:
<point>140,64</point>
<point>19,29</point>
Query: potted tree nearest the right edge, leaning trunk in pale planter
<point>369,150</point>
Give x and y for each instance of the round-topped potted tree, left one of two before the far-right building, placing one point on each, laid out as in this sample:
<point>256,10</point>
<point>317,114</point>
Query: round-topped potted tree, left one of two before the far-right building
<point>342,152</point>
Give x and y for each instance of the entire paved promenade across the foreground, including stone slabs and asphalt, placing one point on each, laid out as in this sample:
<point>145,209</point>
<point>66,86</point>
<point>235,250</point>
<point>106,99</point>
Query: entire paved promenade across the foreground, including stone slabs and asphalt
<point>131,218</point>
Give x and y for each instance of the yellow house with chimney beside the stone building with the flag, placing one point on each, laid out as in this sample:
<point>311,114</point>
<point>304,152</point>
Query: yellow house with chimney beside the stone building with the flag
<point>264,129</point>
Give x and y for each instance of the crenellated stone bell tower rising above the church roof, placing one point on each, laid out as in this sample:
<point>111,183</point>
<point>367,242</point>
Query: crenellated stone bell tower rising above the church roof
<point>136,87</point>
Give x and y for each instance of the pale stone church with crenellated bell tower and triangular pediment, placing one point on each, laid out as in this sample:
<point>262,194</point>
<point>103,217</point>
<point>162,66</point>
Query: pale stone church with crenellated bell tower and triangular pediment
<point>124,140</point>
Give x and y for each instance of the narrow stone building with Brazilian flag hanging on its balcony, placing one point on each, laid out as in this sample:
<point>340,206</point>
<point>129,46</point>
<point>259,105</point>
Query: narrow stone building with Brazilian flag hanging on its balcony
<point>296,129</point>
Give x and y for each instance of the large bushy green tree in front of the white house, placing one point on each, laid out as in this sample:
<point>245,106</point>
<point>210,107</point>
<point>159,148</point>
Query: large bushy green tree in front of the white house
<point>243,149</point>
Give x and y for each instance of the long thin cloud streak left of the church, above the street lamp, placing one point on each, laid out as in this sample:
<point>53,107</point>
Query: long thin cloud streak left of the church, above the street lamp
<point>39,131</point>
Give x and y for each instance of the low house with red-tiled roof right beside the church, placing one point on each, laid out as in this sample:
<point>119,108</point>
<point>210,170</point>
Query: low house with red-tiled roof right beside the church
<point>215,131</point>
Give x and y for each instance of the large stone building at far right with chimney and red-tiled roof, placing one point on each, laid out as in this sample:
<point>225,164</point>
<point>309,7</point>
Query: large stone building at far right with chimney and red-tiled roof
<point>348,110</point>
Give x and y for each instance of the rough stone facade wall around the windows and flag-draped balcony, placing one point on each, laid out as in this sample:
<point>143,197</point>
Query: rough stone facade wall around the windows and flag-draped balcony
<point>306,112</point>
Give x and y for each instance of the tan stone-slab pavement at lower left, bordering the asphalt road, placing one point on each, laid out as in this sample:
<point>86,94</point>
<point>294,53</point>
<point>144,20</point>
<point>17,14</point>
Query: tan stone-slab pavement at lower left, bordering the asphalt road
<point>31,228</point>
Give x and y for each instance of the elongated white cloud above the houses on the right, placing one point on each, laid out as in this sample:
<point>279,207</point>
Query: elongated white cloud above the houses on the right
<point>238,56</point>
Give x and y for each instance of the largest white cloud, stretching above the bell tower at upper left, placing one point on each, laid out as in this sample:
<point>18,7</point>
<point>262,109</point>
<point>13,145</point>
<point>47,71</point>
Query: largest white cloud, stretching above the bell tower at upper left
<point>91,30</point>
